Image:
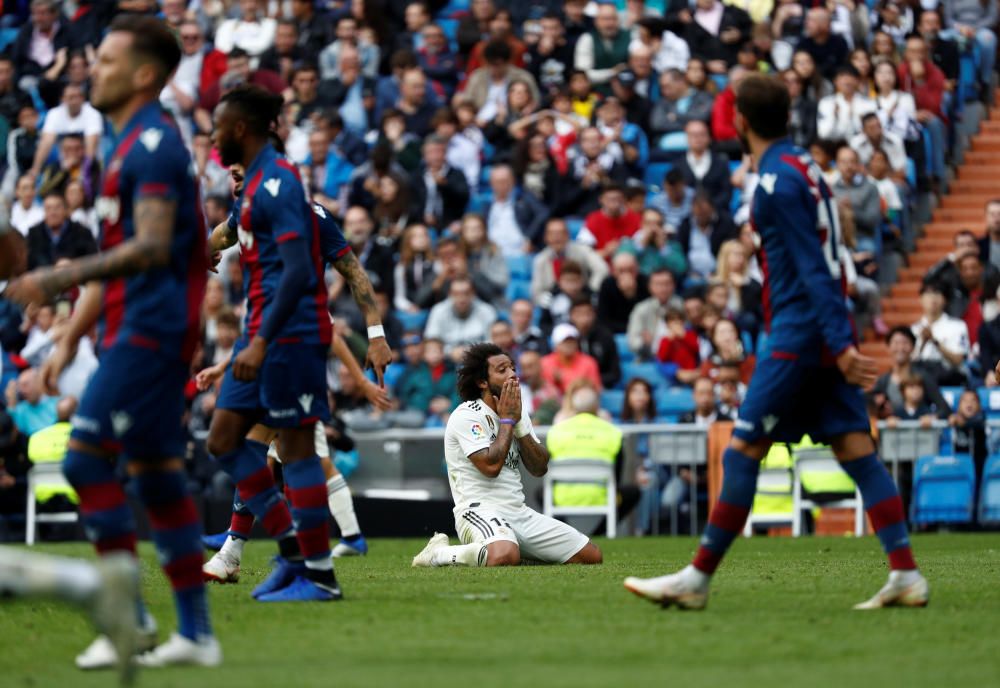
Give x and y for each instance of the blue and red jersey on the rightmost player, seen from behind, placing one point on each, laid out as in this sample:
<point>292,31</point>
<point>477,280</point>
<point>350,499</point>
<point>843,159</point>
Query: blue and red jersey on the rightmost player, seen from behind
<point>794,216</point>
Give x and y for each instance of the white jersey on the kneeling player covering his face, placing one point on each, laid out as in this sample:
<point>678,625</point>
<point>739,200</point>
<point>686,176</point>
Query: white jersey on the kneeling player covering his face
<point>472,427</point>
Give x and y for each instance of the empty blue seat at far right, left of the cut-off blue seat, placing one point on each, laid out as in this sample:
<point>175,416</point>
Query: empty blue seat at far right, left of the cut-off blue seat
<point>943,487</point>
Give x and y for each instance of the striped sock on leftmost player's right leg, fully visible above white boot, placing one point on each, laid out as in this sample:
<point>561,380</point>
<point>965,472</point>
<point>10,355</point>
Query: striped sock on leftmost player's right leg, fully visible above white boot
<point>176,528</point>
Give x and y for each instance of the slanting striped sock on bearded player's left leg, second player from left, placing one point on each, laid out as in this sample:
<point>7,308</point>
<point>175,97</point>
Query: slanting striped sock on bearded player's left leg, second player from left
<point>247,466</point>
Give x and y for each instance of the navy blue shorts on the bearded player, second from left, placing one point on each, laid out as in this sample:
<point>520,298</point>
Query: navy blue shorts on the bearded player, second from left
<point>290,389</point>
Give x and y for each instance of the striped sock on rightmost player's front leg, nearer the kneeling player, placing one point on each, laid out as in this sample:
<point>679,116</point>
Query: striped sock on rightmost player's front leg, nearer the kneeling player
<point>739,484</point>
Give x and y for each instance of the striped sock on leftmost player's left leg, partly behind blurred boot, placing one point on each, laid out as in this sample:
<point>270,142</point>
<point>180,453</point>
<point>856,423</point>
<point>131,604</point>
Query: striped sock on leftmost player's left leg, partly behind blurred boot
<point>107,518</point>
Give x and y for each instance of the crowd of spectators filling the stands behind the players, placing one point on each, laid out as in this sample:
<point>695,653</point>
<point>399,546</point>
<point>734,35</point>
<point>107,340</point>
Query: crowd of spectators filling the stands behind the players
<point>560,177</point>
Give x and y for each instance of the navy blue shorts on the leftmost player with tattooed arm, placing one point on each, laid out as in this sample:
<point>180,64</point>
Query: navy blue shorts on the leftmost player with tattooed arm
<point>134,404</point>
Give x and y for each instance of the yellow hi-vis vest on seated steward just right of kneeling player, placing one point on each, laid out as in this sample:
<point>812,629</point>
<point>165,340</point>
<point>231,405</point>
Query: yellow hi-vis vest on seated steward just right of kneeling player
<point>584,436</point>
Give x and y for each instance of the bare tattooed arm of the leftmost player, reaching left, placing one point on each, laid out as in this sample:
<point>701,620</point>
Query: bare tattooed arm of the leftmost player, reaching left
<point>147,250</point>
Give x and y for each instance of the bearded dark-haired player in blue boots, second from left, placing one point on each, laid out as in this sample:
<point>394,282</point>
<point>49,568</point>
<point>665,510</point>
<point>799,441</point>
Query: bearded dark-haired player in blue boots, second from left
<point>278,371</point>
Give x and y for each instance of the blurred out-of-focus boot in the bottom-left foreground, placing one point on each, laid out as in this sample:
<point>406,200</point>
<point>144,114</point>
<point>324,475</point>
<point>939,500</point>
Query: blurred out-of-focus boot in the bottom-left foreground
<point>113,610</point>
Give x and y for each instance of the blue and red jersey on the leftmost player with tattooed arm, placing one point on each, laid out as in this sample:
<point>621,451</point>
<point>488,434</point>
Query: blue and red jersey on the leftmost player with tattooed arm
<point>161,308</point>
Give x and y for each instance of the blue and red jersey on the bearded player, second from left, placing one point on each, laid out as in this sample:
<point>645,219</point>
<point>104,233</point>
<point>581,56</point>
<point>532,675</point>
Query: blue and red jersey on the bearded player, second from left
<point>274,208</point>
